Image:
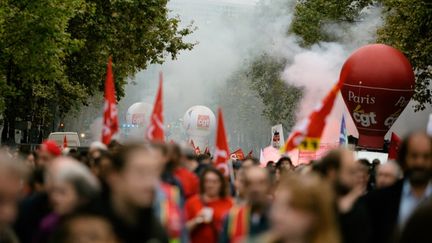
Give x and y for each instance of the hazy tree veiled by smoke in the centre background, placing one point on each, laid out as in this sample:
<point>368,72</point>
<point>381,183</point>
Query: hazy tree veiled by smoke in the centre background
<point>261,100</point>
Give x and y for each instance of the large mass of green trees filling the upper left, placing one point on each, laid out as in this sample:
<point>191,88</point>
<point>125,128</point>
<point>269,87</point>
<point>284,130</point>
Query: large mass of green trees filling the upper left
<point>53,53</point>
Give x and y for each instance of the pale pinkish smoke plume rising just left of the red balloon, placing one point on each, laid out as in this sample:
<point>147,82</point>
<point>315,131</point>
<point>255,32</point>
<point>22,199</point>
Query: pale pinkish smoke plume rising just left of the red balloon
<point>318,68</point>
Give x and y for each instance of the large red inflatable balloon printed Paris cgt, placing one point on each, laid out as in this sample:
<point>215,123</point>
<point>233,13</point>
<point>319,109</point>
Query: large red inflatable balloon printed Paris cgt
<point>378,84</point>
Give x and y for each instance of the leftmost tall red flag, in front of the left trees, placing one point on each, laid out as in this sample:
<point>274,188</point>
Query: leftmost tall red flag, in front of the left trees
<point>110,119</point>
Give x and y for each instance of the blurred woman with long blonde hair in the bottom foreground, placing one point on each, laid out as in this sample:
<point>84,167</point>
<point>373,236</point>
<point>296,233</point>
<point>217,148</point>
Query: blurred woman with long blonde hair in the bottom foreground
<point>303,212</point>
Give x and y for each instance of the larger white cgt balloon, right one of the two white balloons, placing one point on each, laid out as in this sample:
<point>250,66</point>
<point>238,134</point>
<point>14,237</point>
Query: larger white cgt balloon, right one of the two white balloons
<point>199,121</point>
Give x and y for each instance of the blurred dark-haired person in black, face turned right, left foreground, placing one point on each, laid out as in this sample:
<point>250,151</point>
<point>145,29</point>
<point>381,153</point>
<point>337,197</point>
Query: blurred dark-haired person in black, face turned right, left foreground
<point>133,179</point>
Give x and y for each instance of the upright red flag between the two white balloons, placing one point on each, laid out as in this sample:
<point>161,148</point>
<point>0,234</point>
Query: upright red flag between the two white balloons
<point>155,131</point>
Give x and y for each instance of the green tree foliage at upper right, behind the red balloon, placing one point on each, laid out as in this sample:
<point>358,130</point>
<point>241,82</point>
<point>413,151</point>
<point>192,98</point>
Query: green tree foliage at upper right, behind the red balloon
<point>407,27</point>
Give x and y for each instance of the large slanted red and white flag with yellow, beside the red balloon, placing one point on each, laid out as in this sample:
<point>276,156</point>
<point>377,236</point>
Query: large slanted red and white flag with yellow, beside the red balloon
<point>308,133</point>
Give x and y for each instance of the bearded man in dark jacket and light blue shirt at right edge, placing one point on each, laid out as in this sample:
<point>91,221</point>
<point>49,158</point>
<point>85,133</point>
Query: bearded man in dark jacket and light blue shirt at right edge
<point>390,208</point>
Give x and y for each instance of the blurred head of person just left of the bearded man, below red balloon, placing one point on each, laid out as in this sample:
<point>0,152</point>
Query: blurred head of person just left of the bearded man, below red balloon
<point>387,174</point>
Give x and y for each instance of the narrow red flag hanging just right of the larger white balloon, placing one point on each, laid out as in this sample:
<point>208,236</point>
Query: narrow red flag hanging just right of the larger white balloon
<point>221,155</point>
